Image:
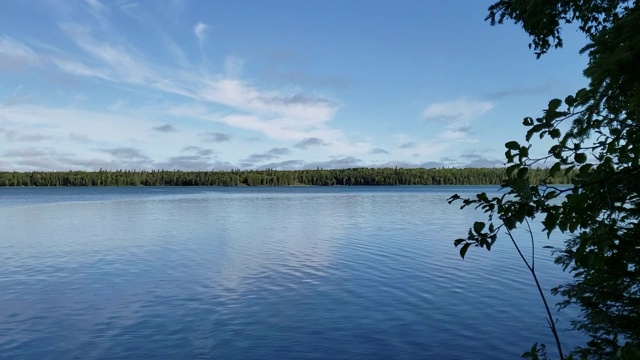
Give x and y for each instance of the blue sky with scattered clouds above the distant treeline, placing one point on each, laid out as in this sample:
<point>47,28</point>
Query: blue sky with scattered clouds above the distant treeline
<point>279,84</point>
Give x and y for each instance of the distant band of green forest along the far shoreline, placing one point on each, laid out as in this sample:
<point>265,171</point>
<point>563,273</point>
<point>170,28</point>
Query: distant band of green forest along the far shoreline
<point>318,177</point>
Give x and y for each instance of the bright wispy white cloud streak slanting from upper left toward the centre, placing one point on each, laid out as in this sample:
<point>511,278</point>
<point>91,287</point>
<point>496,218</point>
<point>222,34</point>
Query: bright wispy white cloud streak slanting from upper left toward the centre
<point>277,114</point>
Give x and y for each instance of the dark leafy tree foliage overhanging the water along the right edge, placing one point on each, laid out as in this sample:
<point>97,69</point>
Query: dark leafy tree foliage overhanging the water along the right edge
<point>596,134</point>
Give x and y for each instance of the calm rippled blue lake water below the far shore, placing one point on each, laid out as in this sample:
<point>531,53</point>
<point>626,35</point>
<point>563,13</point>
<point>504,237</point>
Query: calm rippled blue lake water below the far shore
<point>260,273</point>
